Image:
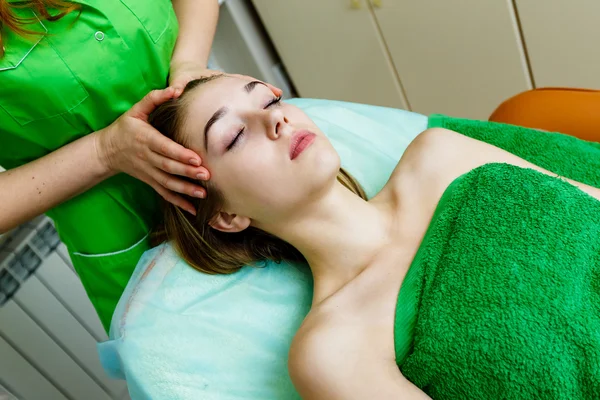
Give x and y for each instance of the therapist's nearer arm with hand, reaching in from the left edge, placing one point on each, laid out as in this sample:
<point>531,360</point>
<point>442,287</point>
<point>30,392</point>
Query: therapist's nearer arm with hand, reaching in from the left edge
<point>128,145</point>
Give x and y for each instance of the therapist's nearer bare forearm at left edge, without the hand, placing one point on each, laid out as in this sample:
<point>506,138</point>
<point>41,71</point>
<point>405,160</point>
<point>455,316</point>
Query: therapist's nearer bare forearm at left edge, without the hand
<point>36,187</point>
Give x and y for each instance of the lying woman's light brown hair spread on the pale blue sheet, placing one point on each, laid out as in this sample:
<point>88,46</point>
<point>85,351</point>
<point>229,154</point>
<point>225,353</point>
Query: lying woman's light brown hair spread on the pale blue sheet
<point>203,247</point>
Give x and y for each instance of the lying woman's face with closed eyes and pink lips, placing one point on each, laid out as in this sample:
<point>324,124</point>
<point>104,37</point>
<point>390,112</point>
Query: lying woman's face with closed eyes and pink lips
<point>266,157</point>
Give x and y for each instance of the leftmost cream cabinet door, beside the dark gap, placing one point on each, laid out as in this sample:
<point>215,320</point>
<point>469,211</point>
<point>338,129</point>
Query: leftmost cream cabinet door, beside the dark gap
<point>332,50</point>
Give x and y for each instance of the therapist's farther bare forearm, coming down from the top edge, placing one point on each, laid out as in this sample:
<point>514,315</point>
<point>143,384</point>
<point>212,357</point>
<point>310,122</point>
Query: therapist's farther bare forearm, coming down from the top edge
<point>197,24</point>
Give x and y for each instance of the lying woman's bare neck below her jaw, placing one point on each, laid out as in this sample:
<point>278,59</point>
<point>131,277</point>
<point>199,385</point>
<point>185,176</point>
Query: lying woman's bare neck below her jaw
<point>338,234</point>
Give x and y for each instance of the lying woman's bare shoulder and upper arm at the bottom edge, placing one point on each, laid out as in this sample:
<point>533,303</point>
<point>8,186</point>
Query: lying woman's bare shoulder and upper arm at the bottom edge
<point>337,363</point>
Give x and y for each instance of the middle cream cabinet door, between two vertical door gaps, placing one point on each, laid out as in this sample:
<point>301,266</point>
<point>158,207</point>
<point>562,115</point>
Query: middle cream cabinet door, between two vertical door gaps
<point>461,58</point>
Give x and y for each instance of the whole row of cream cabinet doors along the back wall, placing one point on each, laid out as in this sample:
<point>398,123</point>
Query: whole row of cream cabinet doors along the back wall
<point>457,57</point>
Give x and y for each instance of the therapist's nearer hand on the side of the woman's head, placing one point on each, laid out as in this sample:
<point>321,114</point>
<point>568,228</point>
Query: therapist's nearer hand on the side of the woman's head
<point>133,146</point>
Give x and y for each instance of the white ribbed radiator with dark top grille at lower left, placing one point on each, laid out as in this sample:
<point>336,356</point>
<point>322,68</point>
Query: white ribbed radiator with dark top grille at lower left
<point>48,326</point>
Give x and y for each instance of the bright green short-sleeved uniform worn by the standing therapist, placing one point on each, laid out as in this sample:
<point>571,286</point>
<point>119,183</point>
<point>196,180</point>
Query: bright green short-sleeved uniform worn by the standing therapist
<point>78,78</point>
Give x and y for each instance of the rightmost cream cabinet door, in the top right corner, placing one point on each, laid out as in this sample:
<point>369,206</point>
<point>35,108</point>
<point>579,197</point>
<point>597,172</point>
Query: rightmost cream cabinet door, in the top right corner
<point>562,41</point>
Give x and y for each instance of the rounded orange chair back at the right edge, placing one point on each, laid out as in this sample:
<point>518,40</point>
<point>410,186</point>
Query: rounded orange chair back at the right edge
<point>575,112</point>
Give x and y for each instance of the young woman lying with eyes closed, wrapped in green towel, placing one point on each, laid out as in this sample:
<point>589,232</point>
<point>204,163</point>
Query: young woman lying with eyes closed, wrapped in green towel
<point>463,277</point>
